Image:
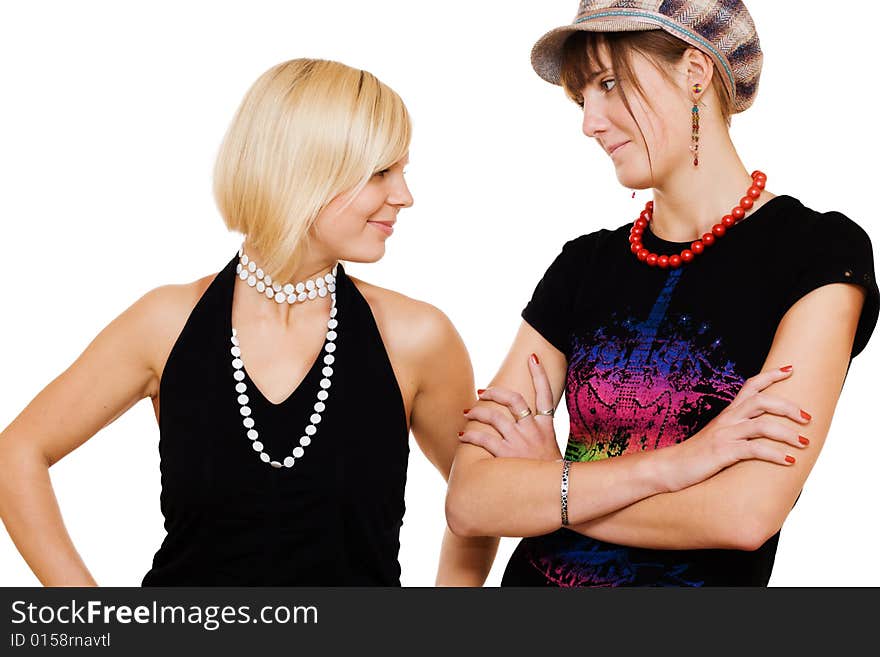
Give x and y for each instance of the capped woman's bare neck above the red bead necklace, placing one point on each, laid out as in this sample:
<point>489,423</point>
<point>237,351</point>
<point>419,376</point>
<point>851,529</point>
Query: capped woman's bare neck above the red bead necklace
<point>692,199</point>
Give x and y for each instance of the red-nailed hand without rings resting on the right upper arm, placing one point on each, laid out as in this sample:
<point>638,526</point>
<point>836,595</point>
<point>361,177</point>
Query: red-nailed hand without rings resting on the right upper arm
<point>728,438</point>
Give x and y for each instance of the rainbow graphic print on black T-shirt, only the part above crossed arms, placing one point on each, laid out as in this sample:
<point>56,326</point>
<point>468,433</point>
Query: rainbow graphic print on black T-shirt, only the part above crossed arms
<point>639,385</point>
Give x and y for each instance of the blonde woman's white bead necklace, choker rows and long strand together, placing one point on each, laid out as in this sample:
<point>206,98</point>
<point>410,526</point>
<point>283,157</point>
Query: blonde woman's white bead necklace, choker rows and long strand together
<point>329,347</point>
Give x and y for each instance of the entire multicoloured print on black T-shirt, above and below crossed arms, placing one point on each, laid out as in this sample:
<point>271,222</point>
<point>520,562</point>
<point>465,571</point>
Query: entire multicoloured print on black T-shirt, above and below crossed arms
<point>635,385</point>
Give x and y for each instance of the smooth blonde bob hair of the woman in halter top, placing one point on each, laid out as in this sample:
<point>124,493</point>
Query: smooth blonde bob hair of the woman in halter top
<point>307,131</point>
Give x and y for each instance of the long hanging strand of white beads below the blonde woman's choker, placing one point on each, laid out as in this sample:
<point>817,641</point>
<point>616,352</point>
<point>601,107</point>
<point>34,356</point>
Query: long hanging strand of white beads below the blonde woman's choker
<point>319,407</point>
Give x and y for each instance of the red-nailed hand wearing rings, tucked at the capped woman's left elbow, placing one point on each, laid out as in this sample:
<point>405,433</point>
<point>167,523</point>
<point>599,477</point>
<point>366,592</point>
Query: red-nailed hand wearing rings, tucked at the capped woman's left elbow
<point>531,436</point>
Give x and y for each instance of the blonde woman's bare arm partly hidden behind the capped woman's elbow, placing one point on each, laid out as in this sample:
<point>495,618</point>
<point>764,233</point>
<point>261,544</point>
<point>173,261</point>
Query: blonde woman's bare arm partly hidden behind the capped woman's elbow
<point>446,387</point>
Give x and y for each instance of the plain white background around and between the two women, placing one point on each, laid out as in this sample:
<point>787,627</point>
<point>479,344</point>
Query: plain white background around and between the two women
<point>110,119</point>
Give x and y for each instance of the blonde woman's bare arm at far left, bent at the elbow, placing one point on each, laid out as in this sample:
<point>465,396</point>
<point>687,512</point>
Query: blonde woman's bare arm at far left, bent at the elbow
<point>109,377</point>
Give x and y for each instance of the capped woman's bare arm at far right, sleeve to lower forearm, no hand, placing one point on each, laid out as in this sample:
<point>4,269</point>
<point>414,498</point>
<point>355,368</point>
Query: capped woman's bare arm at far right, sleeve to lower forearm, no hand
<point>744,505</point>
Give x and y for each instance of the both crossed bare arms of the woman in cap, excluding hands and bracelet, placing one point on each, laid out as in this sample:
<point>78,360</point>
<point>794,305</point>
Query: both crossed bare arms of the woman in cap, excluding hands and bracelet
<point>737,508</point>
